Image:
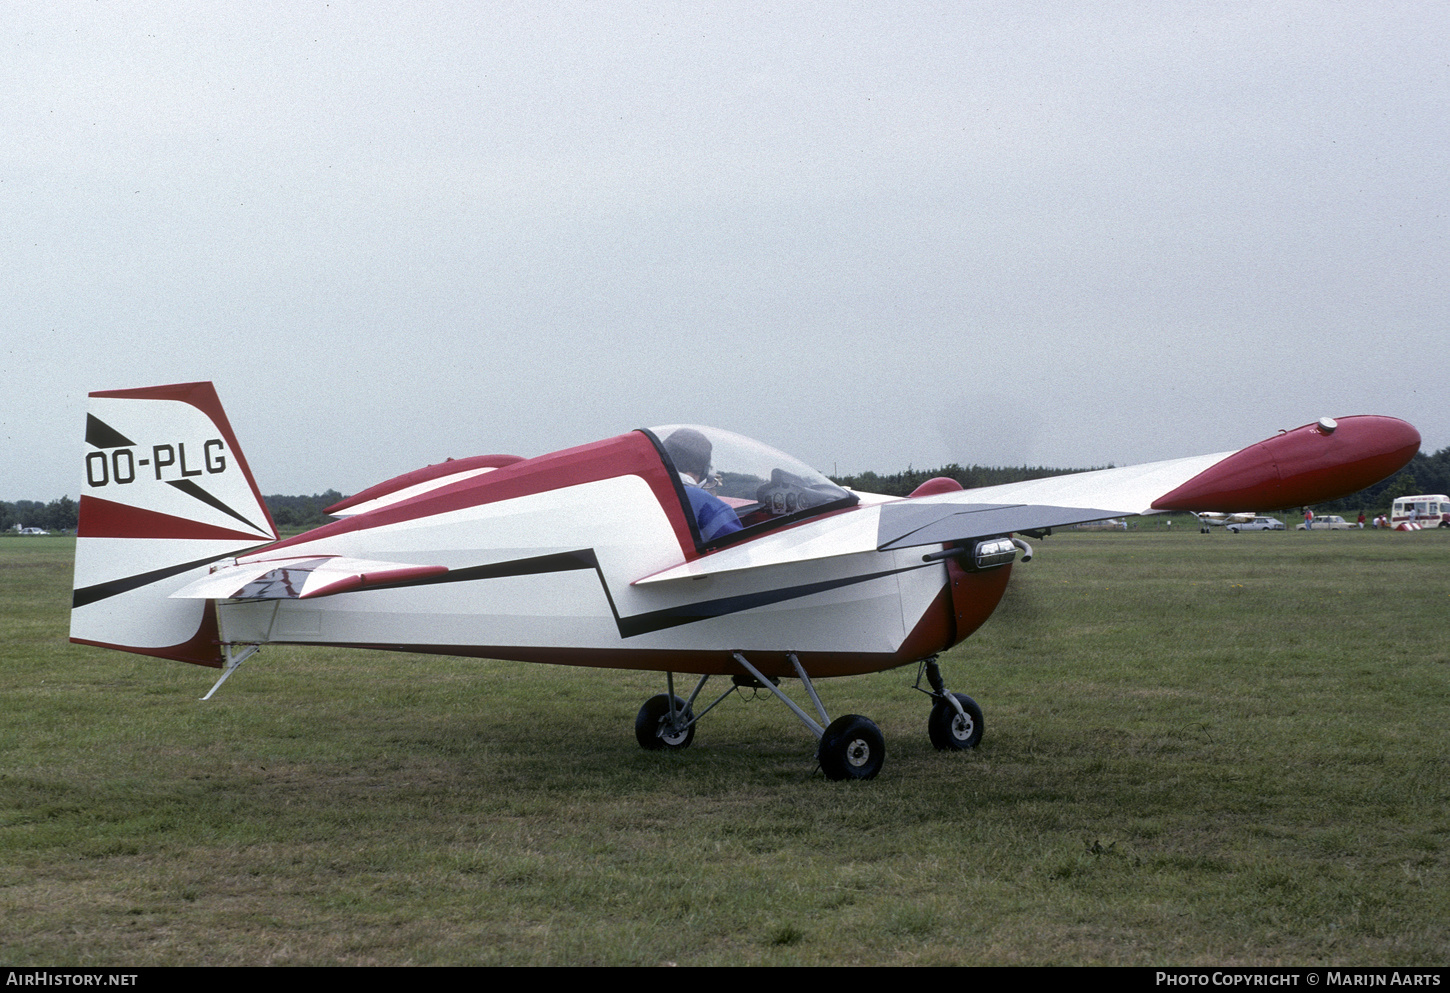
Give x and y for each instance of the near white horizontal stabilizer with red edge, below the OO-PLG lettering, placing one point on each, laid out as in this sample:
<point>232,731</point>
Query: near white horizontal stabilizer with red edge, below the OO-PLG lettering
<point>302,579</point>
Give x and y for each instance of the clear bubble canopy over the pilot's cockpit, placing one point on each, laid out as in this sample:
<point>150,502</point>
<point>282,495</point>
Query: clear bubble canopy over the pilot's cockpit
<point>762,485</point>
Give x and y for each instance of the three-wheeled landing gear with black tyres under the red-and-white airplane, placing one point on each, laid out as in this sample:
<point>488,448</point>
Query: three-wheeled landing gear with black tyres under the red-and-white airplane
<point>849,749</point>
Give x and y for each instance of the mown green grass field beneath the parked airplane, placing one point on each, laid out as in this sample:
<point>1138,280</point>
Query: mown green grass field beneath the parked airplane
<point>1214,750</point>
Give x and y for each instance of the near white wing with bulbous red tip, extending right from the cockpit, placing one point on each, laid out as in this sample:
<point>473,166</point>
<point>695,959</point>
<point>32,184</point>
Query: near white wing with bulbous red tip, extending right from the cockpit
<point>1310,465</point>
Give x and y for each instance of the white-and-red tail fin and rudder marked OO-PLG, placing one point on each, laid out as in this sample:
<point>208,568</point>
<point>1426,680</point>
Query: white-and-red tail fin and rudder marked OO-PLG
<point>167,494</point>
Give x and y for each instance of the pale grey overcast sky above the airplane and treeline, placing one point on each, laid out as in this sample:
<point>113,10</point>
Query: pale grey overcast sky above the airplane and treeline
<point>872,236</point>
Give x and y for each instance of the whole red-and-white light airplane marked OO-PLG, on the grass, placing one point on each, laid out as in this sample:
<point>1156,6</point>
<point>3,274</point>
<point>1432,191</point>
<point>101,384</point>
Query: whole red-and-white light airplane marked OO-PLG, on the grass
<point>676,550</point>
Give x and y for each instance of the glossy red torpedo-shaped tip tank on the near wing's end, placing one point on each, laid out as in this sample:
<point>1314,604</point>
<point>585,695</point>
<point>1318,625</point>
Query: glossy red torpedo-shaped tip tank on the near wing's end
<point>1309,465</point>
